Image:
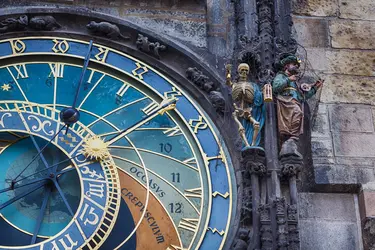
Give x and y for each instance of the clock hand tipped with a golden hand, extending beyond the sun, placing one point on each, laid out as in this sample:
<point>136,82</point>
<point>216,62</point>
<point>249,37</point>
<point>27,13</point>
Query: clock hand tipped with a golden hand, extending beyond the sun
<point>165,105</point>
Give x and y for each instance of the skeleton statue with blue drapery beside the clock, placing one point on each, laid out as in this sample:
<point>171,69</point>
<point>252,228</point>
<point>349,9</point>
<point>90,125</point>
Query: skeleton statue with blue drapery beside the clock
<point>248,106</point>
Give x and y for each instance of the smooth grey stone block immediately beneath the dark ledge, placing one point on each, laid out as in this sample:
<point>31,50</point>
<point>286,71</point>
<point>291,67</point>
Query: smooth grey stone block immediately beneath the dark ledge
<point>314,206</point>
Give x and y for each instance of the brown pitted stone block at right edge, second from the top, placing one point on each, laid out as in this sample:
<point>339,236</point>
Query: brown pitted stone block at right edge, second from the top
<point>352,34</point>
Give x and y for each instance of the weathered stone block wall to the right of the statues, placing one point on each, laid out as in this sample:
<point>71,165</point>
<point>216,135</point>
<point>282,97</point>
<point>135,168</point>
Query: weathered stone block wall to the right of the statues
<point>339,37</point>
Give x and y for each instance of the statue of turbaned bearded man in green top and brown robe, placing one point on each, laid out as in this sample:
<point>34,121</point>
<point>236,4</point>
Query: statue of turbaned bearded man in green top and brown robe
<point>290,96</point>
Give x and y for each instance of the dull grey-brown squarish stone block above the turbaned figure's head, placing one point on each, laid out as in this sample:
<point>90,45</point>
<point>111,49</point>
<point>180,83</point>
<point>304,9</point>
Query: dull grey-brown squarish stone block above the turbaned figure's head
<point>311,32</point>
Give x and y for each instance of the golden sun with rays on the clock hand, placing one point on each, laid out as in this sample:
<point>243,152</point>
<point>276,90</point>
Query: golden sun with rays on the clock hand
<point>95,148</point>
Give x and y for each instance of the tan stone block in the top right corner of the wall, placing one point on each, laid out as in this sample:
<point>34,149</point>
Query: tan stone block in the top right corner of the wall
<point>359,9</point>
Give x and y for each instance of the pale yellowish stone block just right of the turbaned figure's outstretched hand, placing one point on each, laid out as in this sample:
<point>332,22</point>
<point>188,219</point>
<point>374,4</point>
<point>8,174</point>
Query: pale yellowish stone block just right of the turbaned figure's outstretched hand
<point>348,89</point>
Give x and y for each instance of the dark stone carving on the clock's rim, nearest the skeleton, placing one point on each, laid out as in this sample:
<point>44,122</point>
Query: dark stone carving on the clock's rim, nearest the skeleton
<point>213,90</point>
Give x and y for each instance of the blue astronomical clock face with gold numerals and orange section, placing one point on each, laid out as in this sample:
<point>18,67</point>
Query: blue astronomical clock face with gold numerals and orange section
<point>143,168</point>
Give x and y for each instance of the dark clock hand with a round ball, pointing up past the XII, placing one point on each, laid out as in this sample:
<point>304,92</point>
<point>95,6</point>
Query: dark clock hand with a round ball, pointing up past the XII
<point>71,115</point>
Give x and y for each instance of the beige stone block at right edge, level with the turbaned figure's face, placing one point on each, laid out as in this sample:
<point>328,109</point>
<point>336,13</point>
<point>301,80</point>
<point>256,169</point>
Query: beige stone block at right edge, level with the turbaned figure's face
<point>350,62</point>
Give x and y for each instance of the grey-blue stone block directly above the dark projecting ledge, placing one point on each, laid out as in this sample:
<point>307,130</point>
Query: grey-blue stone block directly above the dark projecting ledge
<point>343,174</point>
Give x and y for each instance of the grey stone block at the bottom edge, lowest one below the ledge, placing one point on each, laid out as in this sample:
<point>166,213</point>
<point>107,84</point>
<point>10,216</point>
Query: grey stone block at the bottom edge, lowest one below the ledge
<point>328,235</point>
